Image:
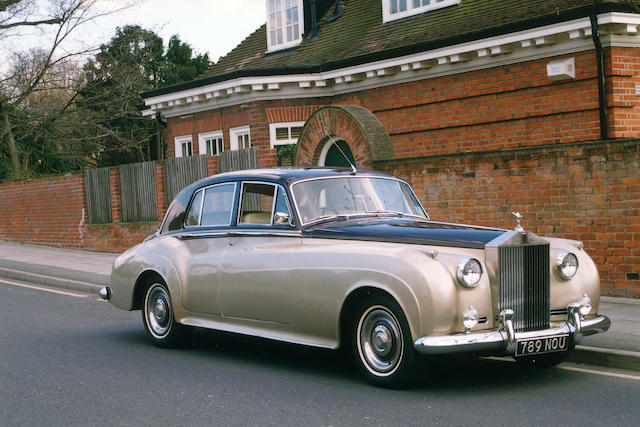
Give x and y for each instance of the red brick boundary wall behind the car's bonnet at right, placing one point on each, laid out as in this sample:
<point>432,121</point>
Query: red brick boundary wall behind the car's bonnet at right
<point>588,192</point>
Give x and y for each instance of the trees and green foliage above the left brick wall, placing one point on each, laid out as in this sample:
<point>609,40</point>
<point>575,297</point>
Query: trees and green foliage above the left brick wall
<point>91,114</point>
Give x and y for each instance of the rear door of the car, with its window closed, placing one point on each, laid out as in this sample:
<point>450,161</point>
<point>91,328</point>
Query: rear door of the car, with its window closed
<point>205,240</point>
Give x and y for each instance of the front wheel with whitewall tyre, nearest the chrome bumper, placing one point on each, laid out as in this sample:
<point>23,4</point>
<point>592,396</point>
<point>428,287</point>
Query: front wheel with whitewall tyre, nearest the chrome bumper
<point>382,345</point>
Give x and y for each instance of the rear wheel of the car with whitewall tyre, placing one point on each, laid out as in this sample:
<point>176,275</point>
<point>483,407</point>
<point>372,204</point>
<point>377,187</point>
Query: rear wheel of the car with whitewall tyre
<point>157,316</point>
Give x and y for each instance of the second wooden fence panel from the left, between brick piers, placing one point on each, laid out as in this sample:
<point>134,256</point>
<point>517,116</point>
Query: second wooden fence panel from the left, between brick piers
<point>138,201</point>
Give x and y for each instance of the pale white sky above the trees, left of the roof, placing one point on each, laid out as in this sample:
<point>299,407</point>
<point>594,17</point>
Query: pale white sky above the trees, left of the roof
<point>208,26</point>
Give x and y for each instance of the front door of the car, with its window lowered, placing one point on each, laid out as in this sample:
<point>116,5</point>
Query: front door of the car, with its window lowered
<point>256,277</point>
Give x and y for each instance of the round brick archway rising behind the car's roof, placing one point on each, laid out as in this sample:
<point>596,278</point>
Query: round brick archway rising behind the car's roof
<point>346,126</point>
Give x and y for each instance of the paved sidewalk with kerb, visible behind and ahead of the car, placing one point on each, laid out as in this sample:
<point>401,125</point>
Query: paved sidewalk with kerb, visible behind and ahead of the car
<point>88,271</point>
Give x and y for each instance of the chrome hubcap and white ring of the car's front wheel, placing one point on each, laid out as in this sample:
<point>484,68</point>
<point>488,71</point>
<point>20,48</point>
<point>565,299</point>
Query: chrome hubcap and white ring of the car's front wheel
<point>380,341</point>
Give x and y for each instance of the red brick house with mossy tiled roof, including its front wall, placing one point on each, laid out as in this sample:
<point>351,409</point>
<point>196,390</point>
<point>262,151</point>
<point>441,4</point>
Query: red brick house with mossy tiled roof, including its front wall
<point>483,106</point>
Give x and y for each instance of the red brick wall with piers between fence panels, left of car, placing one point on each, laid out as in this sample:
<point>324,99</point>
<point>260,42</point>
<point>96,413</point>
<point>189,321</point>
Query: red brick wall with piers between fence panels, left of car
<point>53,211</point>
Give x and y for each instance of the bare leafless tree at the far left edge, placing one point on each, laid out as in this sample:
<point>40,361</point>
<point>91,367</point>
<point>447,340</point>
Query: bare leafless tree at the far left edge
<point>39,80</point>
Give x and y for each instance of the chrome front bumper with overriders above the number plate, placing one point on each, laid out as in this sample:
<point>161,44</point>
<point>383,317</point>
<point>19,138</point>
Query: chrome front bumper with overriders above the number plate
<point>503,341</point>
